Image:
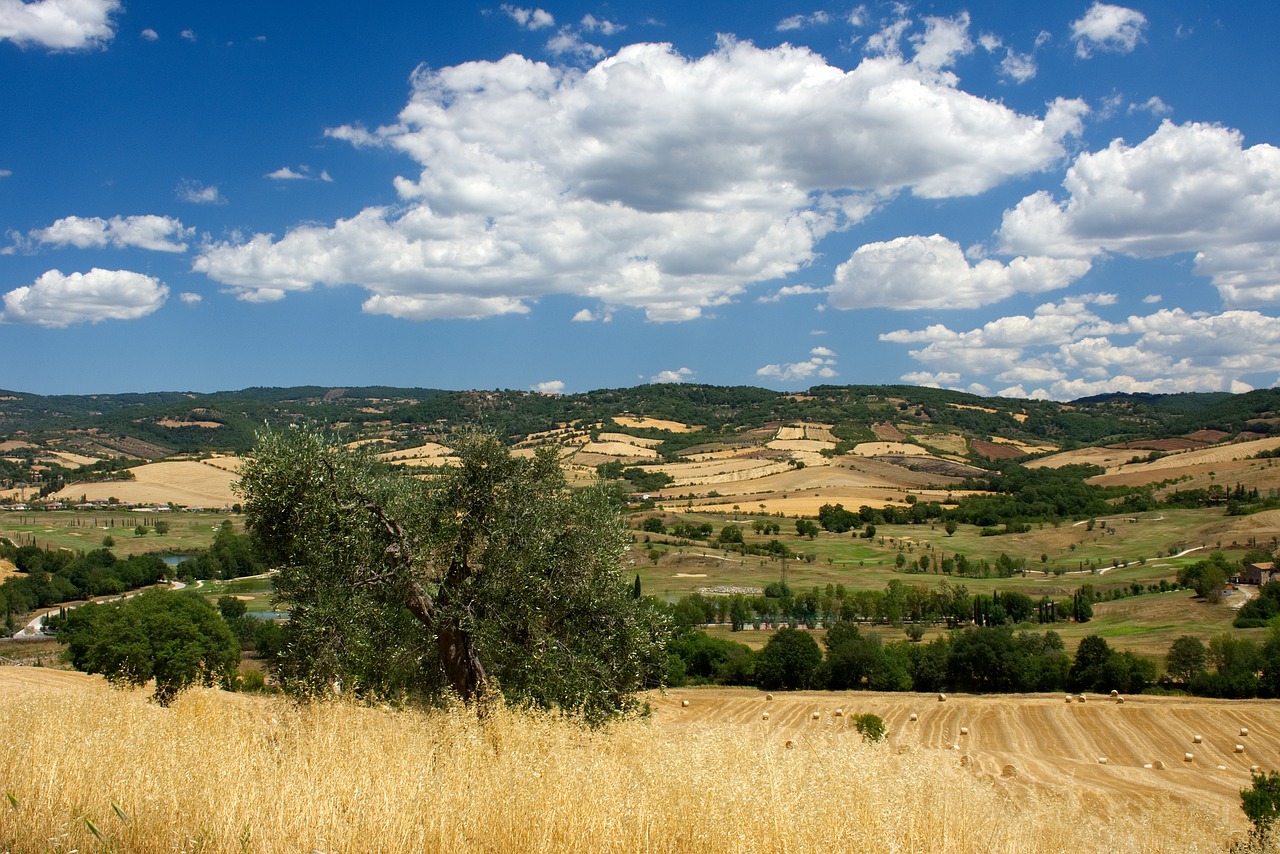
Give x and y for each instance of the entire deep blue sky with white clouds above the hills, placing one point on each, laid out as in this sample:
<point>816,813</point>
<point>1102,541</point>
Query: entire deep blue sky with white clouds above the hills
<point>1035,200</point>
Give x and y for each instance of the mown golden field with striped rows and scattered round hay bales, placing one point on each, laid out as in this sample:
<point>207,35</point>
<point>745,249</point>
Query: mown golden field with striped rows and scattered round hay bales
<point>1035,741</point>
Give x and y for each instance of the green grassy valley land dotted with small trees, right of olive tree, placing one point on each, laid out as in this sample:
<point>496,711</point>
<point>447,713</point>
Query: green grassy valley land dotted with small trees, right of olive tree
<point>1137,552</point>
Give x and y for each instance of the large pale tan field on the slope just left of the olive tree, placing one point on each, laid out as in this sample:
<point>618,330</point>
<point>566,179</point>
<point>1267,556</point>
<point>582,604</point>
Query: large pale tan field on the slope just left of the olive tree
<point>191,483</point>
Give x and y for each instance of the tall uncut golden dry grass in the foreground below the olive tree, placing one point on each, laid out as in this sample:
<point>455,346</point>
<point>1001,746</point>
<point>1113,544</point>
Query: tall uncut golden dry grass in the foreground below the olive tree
<point>221,773</point>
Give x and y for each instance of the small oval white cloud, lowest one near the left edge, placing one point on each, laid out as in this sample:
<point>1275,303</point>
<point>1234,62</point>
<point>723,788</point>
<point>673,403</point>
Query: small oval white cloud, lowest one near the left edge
<point>57,300</point>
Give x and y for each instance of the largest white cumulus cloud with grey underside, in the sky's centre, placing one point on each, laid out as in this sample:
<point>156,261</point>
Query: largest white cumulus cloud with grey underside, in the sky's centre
<point>648,181</point>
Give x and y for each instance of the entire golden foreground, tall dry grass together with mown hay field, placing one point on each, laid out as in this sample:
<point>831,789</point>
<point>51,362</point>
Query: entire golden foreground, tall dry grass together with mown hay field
<point>90,769</point>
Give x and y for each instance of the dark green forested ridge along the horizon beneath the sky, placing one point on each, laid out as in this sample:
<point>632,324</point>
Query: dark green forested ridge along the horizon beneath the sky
<point>166,423</point>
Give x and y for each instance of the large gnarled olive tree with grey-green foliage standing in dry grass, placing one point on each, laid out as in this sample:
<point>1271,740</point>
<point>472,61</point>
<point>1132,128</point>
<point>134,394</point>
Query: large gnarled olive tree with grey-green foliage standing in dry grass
<point>492,574</point>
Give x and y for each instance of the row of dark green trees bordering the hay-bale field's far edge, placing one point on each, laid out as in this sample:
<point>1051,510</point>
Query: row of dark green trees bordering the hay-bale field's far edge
<point>976,659</point>
